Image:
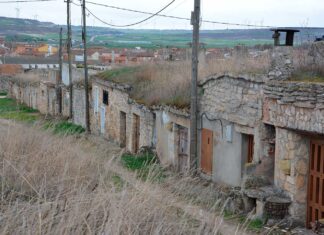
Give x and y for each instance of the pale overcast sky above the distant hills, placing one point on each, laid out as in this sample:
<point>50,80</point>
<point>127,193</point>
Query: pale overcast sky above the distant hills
<point>260,12</point>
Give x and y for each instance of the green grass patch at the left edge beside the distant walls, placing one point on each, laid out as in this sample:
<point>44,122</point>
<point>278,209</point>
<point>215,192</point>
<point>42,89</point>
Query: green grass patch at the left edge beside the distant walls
<point>10,109</point>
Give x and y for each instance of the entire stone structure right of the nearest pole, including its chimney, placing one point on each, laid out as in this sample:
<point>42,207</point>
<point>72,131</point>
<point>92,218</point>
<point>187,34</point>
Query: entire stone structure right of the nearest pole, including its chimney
<point>270,129</point>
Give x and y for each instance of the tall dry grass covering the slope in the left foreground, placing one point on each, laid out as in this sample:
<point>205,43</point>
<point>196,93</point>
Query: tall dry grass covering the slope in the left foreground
<point>61,185</point>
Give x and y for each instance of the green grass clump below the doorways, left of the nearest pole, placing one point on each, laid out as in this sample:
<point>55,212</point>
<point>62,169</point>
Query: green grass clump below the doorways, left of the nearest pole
<point>145,165</point>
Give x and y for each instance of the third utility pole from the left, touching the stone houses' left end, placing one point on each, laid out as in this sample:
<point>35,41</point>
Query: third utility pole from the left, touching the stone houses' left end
<point>86,81</point>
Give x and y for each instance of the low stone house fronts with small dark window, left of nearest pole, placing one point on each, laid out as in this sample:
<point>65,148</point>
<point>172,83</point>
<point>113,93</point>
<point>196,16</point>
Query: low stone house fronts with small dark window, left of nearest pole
<point>119,118</point>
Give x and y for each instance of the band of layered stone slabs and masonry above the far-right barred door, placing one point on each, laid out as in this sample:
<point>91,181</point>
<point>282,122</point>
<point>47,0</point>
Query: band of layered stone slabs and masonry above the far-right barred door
<point>295,105</point>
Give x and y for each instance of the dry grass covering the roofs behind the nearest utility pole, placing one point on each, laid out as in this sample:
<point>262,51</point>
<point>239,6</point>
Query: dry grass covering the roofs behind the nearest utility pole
<point>168,83</point>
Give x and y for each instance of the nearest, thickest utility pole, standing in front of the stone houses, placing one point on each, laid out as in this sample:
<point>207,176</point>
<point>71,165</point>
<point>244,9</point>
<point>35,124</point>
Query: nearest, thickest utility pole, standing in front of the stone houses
<point>195,21</point>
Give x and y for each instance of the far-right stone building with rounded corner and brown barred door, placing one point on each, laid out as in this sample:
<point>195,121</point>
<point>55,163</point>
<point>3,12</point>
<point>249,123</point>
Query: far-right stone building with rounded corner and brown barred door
<point>296,109</point>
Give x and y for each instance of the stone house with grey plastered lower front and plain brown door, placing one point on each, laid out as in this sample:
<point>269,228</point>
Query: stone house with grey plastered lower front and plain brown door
<point>232,138</point>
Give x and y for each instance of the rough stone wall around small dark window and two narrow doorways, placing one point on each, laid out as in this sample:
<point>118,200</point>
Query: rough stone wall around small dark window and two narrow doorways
<point>119,101</point>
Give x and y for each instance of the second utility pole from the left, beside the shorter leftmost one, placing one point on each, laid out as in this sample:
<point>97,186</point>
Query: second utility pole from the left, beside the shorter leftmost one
<point>69,45</point>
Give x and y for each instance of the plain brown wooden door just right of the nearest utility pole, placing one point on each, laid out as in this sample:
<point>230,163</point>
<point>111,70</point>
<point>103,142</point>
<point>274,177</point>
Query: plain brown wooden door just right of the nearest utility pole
<point>206,151</point>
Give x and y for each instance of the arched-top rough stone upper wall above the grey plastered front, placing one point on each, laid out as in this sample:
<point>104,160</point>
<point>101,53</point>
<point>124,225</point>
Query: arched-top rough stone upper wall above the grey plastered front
<point>236,99</point>
